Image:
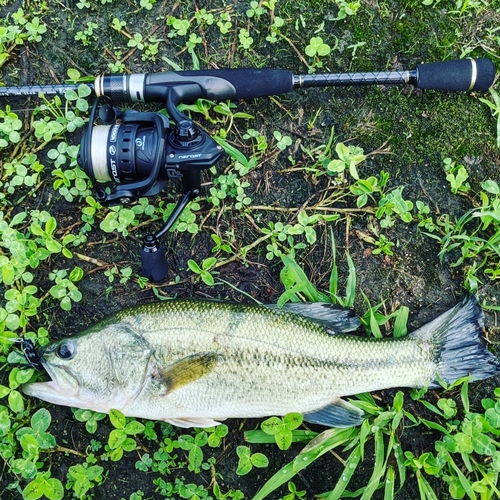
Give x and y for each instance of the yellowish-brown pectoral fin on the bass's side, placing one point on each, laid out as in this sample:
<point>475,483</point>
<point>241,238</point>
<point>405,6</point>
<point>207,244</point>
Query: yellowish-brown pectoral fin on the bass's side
<point>186,370</point>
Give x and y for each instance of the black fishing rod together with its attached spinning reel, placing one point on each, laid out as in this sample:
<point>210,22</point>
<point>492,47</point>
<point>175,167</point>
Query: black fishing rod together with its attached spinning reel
<point>129,154</point>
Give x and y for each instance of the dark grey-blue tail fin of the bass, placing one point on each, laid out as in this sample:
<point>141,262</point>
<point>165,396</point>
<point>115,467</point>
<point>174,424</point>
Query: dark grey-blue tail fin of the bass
<point>456,338</point>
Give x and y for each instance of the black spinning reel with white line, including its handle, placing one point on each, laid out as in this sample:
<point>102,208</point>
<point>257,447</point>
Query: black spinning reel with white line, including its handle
<point>133,154</point>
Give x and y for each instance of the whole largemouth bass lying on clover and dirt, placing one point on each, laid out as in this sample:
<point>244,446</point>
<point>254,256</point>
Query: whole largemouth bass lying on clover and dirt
<point>196,362</point>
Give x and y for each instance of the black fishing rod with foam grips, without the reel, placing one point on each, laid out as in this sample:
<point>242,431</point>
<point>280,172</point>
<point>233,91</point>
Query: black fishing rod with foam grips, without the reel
<point>248,83</point>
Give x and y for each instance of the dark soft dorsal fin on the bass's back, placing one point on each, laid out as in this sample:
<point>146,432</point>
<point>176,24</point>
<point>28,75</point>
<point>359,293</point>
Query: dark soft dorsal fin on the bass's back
<point>336,319</point>
